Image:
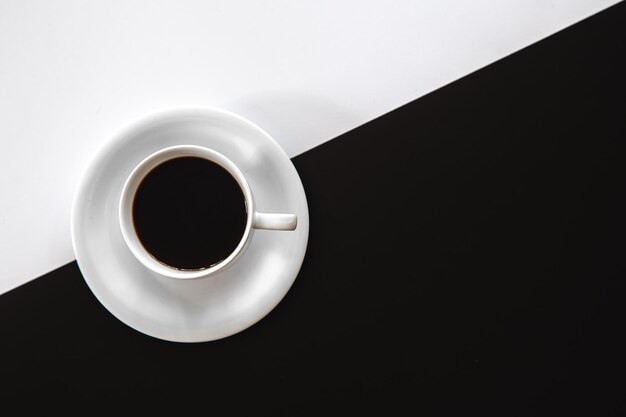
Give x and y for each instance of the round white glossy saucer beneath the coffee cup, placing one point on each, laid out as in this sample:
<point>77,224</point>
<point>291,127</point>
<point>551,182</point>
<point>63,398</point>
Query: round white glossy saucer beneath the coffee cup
<point>207,308</point>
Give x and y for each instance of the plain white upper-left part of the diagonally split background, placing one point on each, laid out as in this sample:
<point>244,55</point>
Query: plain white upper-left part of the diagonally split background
<point>74,72</point>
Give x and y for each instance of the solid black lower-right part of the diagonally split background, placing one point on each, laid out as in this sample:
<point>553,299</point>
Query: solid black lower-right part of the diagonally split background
<point>466,256</point>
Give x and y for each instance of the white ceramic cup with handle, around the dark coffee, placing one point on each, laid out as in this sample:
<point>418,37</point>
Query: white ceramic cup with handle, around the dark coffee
<point>254,219</point>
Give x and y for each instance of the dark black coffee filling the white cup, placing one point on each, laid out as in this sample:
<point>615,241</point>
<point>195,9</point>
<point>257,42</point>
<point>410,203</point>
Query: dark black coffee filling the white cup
<point>189,213</point>
